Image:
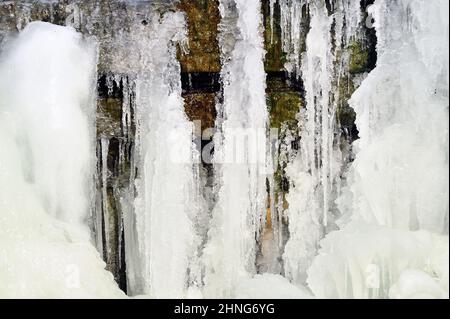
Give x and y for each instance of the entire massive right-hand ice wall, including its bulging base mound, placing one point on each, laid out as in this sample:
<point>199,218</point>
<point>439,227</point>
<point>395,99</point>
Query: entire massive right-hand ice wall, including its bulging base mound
<point>397,199</point>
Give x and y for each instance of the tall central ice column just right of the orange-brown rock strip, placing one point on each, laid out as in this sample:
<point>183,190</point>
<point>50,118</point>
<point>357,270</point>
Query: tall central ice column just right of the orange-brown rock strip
<point>240,146</point>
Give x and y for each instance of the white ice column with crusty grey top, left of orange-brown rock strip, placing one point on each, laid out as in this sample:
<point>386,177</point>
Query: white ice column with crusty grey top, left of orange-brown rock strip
<point>161,249</point>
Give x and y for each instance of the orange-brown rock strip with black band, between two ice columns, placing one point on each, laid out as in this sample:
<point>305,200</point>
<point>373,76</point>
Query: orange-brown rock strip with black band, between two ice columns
<point>201,65</point>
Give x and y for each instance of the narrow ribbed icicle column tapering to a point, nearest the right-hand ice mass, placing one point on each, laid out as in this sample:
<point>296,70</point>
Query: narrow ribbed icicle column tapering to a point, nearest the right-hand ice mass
<point>314,174</point>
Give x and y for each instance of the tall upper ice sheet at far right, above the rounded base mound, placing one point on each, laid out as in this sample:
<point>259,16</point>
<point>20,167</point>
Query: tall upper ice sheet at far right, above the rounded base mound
<point>400,175</point>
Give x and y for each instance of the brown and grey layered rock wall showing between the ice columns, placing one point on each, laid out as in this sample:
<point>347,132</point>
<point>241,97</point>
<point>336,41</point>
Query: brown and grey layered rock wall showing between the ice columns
<point>112,20</point>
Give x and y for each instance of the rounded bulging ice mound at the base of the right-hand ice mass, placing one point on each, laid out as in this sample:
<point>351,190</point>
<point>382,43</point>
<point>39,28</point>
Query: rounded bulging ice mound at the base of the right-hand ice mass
<point>369,261</point>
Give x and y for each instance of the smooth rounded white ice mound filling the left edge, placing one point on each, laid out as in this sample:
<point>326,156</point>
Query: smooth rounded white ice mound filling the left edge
<point>46,167</point>
